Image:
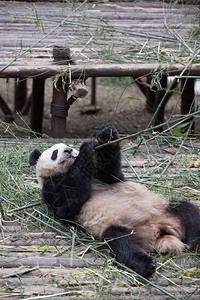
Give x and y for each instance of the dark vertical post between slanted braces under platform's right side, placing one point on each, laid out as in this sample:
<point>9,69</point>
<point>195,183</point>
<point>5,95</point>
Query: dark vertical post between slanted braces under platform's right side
<point>159,96</point>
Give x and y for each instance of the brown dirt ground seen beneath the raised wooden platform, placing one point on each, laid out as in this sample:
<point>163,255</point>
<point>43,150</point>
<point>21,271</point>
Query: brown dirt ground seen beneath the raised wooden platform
<point>117,106</point>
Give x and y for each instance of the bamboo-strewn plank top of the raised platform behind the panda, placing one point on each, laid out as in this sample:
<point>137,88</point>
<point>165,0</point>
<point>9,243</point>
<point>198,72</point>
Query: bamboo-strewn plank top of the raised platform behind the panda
<point>126,32</point>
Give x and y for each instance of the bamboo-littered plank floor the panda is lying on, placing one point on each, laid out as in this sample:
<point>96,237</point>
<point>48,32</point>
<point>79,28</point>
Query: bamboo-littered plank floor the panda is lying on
<point>41,261</point>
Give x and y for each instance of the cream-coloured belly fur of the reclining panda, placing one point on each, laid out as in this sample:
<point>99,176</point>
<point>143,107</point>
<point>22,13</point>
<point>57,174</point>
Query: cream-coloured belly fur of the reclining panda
<point>131,205</point>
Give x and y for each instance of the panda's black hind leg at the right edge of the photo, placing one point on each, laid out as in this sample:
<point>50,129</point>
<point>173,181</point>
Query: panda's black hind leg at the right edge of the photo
<point>189,215</point>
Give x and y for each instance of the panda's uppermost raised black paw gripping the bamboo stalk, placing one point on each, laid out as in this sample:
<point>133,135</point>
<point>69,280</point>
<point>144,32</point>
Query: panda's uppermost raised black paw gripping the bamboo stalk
<point>107,134</point>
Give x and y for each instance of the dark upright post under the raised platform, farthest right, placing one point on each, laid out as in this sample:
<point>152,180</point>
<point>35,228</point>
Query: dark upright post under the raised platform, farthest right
<point>187,99</point>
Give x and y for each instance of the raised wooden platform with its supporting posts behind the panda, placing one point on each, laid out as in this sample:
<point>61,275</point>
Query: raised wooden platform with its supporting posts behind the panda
<point>72,41</point>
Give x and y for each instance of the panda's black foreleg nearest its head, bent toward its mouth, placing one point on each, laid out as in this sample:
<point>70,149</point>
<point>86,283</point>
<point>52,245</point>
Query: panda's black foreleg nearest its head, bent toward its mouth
<point>67,193</point>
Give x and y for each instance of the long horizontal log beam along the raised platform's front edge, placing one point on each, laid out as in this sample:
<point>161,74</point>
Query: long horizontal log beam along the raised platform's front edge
<point>98,70</point>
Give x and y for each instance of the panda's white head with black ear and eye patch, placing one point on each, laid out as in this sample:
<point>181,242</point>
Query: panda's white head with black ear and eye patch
<point>53,161</point>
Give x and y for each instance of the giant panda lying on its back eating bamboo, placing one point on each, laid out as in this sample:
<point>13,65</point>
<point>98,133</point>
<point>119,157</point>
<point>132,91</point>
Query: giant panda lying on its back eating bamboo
<point>90,189</point>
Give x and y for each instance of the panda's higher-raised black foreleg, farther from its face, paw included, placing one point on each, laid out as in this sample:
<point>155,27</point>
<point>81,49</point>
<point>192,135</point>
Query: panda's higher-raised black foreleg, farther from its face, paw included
<point>108,157</point>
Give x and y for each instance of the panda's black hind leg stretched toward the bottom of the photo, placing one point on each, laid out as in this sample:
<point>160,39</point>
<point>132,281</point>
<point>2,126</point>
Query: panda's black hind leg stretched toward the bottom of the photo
<point>128,252</point>
